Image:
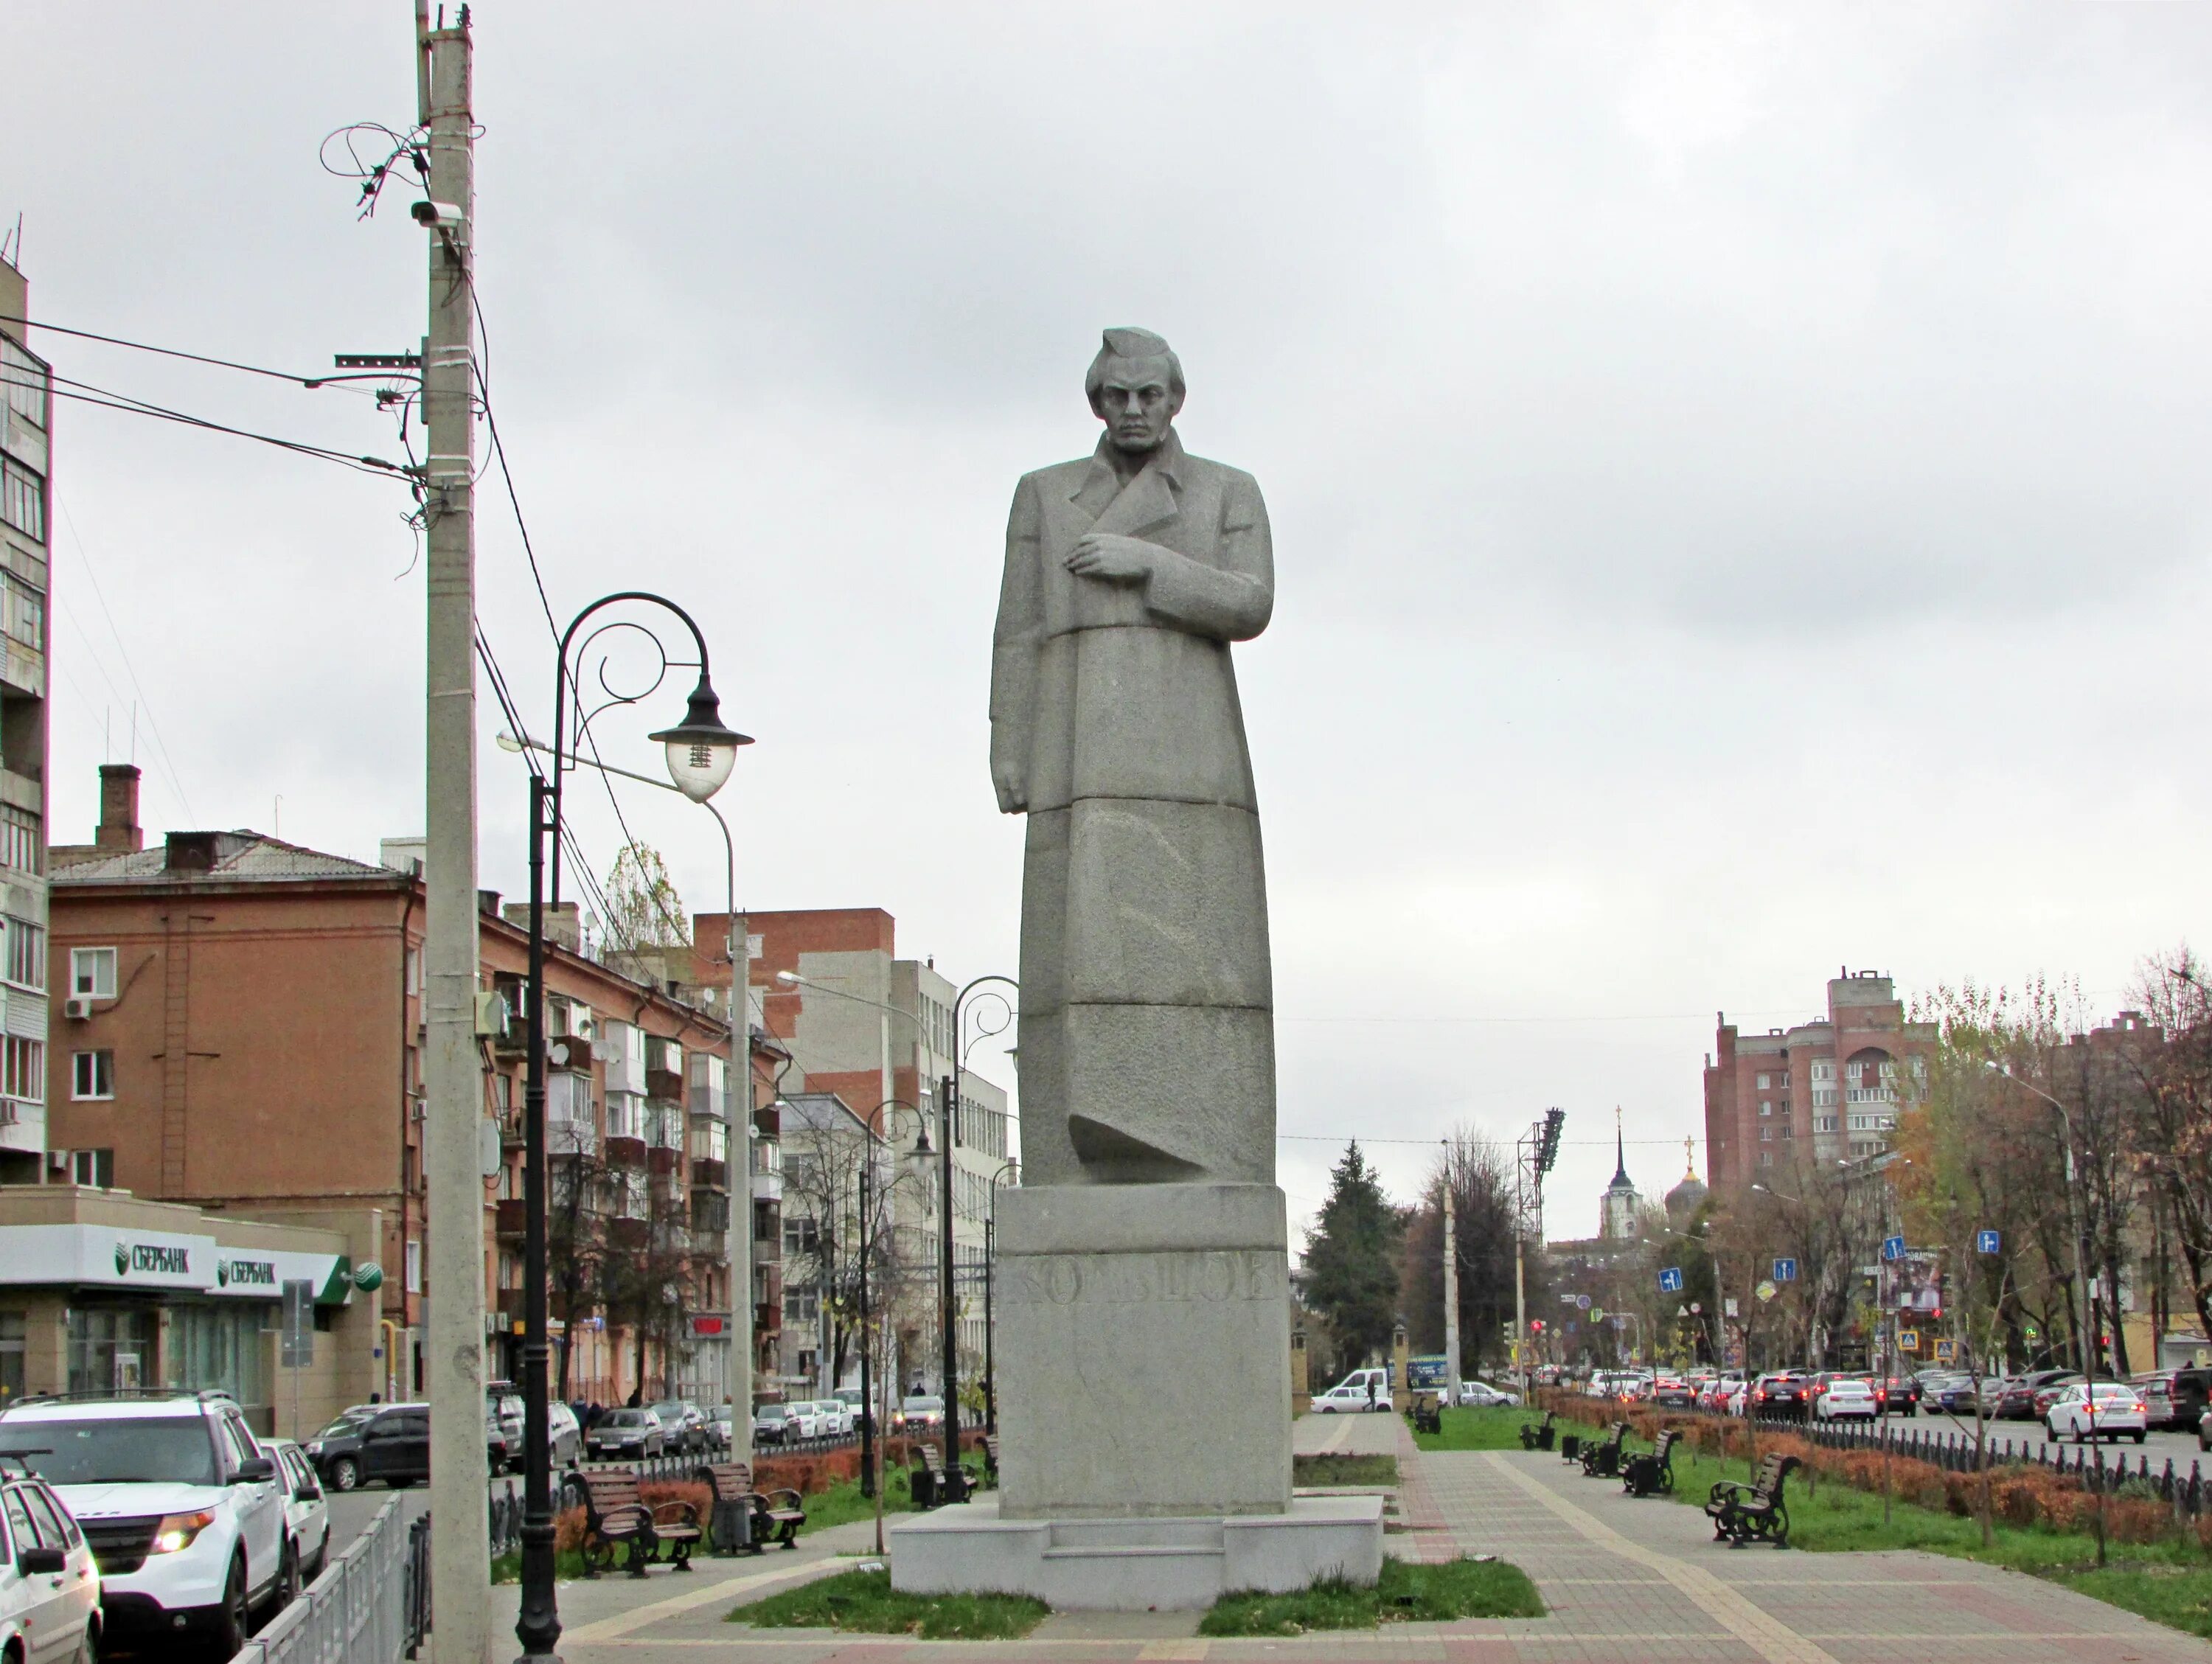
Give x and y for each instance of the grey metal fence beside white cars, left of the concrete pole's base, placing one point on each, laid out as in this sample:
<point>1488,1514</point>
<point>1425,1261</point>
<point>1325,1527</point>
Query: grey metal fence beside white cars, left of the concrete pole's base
<point>368,1608</point>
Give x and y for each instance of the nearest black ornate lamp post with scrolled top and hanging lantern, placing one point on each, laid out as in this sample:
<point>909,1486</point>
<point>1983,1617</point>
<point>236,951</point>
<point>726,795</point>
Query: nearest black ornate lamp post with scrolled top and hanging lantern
<point>702,753</point>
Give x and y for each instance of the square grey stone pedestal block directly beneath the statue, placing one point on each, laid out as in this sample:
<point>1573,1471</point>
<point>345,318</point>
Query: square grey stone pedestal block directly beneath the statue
<point>1142,1351</point>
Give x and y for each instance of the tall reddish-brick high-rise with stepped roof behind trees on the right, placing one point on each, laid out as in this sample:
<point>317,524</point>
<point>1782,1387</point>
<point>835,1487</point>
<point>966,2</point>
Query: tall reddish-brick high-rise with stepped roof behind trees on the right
<point>1826,1090</point>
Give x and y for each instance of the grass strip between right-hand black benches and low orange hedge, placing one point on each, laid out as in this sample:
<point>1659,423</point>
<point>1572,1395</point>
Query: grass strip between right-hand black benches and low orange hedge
<point>2169,1583</point>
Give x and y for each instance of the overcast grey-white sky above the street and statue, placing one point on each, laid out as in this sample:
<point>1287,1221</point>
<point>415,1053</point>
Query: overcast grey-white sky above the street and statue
<point>1738,475</point>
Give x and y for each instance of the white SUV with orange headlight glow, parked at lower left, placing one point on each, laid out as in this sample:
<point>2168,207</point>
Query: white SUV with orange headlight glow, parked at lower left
<point>185,1510</point>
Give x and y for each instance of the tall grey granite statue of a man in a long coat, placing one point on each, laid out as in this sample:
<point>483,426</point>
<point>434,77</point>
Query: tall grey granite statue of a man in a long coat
<point>1147,992</point>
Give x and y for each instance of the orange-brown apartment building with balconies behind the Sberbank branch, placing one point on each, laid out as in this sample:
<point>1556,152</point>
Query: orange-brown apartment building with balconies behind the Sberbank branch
<point>247,1032</point>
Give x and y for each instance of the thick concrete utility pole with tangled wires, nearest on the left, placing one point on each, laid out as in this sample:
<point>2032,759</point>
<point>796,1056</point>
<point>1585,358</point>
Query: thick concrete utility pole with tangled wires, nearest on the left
<point>455,1360</point>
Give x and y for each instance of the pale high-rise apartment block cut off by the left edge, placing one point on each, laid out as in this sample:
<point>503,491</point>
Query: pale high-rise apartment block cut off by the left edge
<point>25,486</point>
